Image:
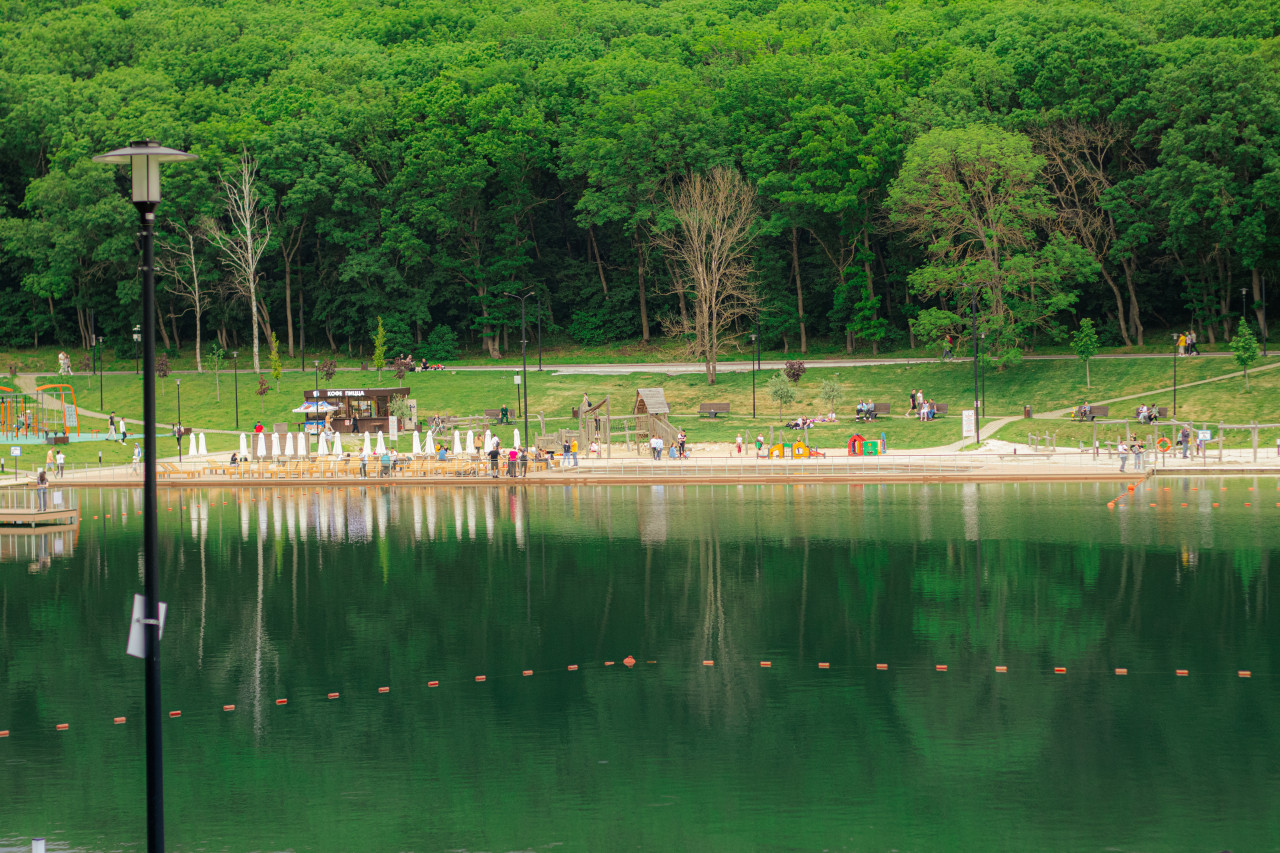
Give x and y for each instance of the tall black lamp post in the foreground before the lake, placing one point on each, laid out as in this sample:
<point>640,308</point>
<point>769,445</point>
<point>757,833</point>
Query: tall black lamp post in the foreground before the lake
<point>145,159</point>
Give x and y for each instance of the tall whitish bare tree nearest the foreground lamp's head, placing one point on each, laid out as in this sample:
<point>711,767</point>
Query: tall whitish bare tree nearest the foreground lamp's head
<point>244,244</point>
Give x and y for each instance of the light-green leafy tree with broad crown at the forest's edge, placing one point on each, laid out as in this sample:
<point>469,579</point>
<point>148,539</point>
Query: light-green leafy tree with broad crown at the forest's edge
<point>972,198</point>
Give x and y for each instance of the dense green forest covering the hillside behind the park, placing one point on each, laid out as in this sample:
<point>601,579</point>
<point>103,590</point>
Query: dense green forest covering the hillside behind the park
<point>420,161</point>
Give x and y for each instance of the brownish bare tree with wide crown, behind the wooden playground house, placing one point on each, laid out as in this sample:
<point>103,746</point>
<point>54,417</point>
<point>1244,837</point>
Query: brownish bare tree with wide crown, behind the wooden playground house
<point>711,249</point>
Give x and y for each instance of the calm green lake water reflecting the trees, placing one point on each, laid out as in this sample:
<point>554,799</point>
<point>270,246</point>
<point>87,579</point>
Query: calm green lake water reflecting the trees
<point>299,594</point>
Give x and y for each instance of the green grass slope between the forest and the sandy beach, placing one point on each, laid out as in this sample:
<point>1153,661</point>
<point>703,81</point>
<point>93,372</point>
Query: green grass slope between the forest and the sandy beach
<point>1043,385</point>
